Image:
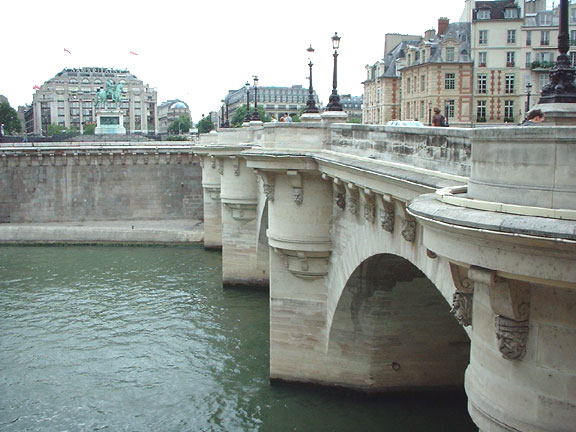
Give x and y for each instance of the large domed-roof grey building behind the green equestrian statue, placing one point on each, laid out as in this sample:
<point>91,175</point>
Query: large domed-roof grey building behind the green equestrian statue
<point>68,100</point>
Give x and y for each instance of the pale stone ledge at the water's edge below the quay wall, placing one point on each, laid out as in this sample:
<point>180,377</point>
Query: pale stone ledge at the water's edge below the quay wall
<point>179,231</point>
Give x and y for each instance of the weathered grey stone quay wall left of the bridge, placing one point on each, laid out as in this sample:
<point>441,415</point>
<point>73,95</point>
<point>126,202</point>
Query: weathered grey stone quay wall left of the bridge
<point>75,184</point>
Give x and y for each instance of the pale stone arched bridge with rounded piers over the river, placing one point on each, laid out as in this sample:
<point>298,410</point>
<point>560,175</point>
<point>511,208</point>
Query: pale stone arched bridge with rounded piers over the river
<point>408,259</point>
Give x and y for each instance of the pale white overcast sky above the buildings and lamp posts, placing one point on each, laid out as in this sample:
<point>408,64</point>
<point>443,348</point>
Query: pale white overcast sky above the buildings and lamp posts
<point>198,50</point>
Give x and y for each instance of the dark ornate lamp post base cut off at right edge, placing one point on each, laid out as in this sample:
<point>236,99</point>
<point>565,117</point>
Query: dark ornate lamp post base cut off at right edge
<point>561,87</point>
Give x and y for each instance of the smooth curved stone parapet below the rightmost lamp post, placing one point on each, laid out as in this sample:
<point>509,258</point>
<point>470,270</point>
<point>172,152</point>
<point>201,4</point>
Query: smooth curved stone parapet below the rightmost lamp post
<point>531,166</point>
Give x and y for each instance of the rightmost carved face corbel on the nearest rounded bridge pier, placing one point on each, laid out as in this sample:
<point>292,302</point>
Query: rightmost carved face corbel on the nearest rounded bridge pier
<point>510,302</point>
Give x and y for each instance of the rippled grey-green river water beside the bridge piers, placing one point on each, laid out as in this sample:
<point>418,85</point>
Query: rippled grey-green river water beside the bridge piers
<point>146,339</point>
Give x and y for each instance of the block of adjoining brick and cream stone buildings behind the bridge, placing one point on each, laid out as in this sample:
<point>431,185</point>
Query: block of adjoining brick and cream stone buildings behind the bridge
<point>487,69</point>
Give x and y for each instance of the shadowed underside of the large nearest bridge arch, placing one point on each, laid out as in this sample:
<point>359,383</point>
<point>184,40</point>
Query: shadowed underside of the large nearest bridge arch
<point>393,331</point>
